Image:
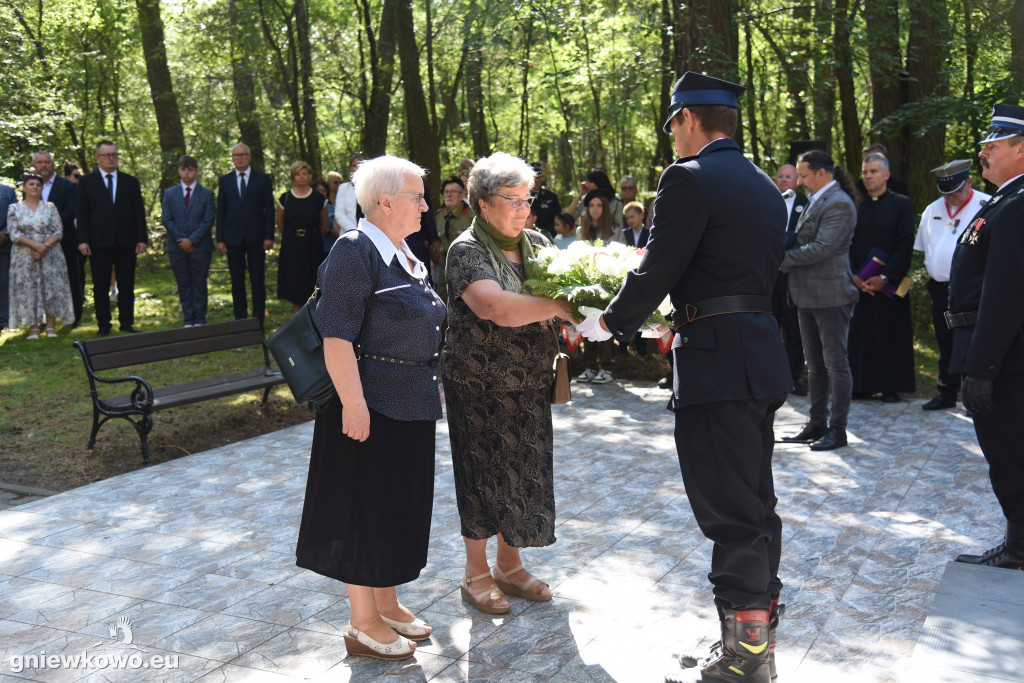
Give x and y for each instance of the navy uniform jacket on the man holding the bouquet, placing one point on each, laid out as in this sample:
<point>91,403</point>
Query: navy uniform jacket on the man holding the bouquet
<point>718,231</point>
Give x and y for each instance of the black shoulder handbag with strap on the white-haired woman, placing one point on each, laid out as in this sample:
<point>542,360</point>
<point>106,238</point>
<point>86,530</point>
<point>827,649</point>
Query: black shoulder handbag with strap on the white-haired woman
<point>298,349</point>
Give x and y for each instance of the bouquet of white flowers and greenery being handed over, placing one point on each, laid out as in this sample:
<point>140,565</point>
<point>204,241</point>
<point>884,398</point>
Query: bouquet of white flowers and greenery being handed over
<point>589,275</point>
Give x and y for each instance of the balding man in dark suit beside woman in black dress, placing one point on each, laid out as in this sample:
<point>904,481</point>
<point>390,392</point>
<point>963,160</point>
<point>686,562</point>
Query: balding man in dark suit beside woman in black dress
<point>245,230</point>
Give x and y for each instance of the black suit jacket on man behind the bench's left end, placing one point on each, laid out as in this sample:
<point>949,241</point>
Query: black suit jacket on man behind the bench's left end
<point>106,224</point>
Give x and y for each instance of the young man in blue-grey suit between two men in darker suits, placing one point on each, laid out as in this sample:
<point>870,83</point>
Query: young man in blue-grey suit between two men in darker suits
<point>189,216</point>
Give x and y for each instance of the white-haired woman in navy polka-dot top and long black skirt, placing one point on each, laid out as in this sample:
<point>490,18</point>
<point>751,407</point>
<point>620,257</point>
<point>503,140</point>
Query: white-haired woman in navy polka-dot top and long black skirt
<point>366,521</point>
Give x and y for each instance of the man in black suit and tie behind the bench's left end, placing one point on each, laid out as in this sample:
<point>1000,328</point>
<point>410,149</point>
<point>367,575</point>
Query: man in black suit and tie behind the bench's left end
<point>112,232</point>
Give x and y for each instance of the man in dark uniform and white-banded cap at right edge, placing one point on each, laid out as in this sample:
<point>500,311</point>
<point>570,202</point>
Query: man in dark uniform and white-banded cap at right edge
<point>987,315</point>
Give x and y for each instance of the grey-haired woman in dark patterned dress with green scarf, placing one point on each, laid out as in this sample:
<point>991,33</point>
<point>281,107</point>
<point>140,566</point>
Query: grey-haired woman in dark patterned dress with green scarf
<point>499,352</point>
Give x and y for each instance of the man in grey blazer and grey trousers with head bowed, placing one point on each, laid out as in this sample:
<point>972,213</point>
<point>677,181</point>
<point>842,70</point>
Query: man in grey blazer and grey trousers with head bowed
<point>823,289</point>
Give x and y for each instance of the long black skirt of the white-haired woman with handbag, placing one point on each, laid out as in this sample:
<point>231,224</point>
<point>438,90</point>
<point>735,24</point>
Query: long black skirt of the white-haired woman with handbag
<point>366,520</point>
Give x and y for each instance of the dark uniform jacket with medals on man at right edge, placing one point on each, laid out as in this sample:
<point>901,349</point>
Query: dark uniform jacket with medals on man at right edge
<point>987,278</point>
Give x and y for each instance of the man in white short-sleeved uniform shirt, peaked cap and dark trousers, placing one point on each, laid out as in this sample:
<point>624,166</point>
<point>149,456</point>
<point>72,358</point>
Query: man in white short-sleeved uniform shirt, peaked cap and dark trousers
<point>942,225</point>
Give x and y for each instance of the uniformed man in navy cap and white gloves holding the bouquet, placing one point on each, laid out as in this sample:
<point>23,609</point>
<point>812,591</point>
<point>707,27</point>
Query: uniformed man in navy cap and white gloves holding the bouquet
<point>719,259</point>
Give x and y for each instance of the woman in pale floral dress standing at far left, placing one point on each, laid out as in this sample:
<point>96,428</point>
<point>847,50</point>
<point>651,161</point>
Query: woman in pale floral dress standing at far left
<point>39,286</point>
